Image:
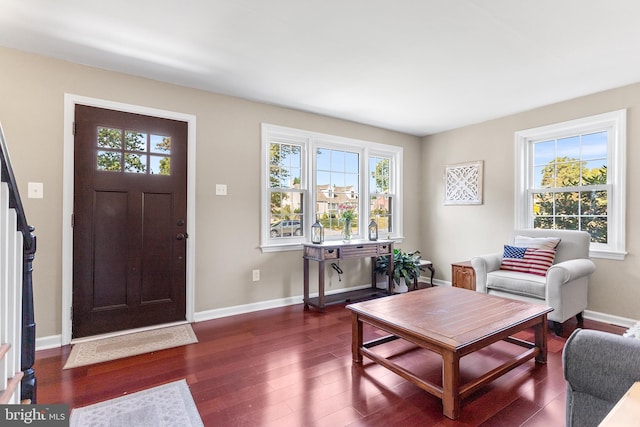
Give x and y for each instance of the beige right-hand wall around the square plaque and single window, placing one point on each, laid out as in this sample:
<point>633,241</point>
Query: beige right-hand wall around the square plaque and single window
<point>456,233</point>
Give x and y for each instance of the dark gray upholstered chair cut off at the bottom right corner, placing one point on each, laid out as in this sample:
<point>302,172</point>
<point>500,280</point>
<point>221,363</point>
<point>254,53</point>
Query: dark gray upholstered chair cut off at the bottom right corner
<point>599,368</point>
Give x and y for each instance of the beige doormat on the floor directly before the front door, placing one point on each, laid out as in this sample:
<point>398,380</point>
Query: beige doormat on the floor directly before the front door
<point>102,350</point>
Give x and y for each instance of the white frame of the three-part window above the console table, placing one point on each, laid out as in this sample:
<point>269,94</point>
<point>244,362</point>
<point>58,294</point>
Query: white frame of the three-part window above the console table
<point>311,141</point>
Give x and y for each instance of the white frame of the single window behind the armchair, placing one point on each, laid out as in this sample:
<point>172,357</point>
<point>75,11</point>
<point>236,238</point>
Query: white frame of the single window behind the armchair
<point>615,123</point>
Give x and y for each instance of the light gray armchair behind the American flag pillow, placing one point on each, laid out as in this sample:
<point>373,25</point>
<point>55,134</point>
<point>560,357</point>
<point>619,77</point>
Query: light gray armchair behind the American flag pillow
<point>565,286</point>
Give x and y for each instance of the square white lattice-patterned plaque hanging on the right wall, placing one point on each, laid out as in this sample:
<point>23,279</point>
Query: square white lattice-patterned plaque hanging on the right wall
<point>463,183</point>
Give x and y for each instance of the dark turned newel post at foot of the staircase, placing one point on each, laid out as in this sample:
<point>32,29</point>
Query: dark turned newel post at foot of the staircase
<point>28,386</point>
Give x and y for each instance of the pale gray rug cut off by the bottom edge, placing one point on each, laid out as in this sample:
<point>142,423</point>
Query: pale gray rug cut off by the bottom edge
<point>167,405</point>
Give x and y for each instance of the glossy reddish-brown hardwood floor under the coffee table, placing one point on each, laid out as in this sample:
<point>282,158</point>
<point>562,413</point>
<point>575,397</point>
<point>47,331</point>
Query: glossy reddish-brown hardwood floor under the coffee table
<point>290,367</point>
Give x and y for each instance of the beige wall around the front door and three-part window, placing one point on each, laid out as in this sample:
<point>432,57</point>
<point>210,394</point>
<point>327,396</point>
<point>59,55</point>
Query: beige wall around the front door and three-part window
<point>32,92</point>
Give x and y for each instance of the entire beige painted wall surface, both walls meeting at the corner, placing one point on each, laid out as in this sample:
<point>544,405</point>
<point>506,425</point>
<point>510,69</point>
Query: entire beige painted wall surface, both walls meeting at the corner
<point>32,92</point>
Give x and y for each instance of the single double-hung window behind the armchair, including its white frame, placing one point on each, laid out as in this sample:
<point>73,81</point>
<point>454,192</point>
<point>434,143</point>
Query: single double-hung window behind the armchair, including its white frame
<point>571,176</point>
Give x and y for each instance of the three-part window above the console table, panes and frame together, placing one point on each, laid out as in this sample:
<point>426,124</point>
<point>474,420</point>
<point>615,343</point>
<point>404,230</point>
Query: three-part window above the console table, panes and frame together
<point>310,177</point>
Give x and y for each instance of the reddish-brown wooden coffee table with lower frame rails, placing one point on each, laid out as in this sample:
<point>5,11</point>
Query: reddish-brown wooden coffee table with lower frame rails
<point>452,322</point>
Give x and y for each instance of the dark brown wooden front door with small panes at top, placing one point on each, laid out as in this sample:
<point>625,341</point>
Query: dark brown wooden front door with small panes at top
<point>129,227</point>
